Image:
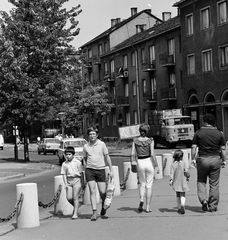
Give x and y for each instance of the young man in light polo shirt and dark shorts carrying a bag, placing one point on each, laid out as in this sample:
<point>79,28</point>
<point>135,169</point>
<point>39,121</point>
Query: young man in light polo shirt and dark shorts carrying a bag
<point>95,153</point>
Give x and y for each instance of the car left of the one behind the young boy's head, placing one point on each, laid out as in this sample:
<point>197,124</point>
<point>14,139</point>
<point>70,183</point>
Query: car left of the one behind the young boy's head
<point>48,145</point>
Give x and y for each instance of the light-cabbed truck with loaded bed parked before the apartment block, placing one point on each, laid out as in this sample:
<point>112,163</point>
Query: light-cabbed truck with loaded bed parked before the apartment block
<point>169,127</point>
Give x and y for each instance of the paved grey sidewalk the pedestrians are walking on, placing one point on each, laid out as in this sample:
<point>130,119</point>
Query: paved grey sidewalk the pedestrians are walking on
<point>124,222</point>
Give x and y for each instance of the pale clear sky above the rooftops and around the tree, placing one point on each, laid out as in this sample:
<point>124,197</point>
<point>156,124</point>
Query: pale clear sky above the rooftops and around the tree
<point>96,15</point>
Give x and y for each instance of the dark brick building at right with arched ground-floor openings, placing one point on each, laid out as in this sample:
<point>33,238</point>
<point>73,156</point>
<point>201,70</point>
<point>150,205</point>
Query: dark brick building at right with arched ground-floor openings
<point>204,43</point>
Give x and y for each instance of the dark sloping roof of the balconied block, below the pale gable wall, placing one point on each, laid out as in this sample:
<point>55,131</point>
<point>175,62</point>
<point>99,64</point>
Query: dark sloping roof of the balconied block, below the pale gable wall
<point>156,30</point>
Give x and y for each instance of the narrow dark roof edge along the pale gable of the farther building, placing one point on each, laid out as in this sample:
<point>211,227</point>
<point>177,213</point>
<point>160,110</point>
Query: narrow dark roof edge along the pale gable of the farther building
<point>118,25</point>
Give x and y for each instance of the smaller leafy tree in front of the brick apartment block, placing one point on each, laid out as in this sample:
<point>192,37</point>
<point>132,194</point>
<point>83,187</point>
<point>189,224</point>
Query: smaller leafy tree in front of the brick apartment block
<point>94,100</point>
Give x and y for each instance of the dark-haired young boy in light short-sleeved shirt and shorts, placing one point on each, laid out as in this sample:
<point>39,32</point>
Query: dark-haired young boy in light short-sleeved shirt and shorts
<point>71,170</point>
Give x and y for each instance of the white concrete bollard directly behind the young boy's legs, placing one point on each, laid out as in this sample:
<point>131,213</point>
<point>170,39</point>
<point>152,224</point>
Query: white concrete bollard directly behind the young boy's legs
<point>62,206</point>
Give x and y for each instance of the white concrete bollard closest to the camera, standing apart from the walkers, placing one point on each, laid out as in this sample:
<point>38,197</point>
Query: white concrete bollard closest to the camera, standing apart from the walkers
<point>28,212</point>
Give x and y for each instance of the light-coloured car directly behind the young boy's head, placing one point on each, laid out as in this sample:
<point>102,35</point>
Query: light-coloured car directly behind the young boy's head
<point>77,143</point>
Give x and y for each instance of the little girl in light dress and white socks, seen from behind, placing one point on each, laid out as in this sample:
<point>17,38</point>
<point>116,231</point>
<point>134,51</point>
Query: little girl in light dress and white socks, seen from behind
<point>179,176</point>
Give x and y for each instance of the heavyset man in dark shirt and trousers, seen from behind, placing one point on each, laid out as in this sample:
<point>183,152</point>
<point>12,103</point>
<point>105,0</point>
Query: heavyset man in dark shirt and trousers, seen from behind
<point>211,156</point>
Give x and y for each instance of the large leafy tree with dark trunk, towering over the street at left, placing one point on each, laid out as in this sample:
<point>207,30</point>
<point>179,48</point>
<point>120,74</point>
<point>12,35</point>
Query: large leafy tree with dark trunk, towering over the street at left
<point>36,59</point>
